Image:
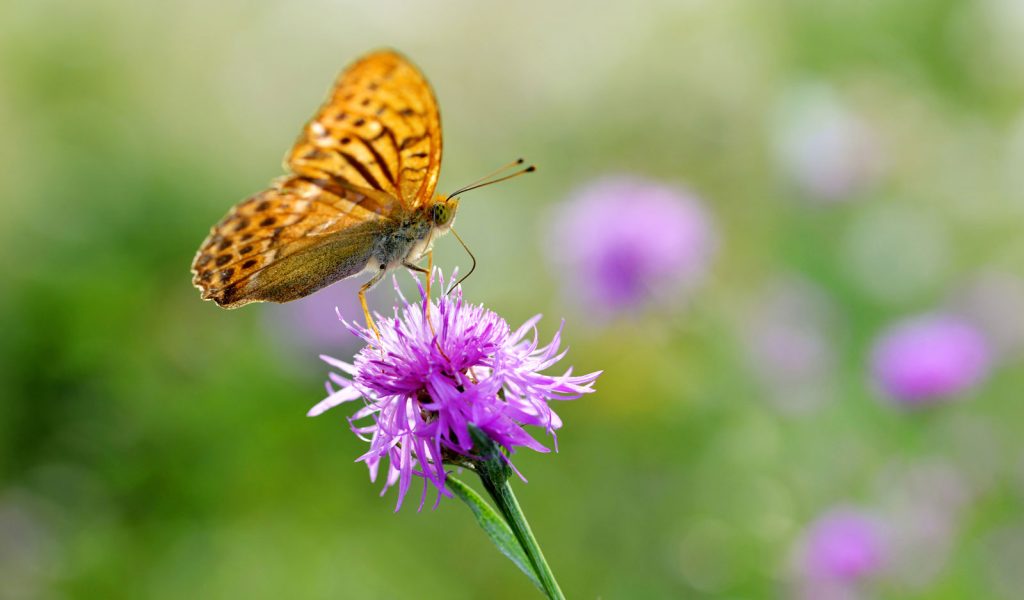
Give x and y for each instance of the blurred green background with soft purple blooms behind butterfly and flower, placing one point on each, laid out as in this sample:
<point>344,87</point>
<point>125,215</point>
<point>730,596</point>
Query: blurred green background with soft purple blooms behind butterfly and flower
<point>789,232</point>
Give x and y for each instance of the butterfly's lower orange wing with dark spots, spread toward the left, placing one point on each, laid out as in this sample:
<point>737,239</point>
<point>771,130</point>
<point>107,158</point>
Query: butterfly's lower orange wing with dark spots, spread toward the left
<point>286,243</point>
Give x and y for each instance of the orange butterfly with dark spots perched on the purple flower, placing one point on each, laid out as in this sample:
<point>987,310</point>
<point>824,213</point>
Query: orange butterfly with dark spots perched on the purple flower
<point>359,197</point>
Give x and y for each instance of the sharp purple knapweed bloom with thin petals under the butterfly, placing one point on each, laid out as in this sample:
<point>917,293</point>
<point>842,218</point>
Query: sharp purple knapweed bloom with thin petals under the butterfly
<point>425,381</point>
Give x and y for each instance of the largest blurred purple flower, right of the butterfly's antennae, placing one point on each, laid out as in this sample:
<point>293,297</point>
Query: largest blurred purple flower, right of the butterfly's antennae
<point>622,242</point>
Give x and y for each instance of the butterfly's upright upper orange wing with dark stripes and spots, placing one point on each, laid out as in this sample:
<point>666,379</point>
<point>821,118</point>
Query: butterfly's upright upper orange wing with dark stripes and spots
<point>379,131</point>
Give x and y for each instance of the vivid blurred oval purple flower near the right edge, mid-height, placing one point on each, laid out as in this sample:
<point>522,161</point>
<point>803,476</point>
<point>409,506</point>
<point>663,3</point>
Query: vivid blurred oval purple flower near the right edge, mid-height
<point>929,358</point>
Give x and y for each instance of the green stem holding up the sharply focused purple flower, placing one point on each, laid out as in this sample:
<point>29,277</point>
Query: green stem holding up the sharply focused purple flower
<point>494,474</point>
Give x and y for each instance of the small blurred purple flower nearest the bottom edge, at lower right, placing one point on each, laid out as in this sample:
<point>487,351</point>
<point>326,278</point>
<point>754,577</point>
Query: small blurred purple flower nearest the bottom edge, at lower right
<point>844,545</point>
